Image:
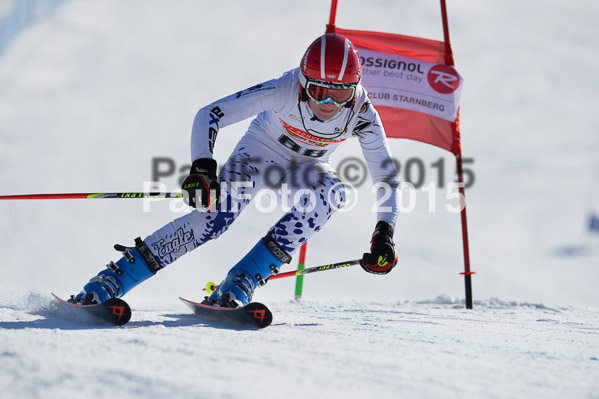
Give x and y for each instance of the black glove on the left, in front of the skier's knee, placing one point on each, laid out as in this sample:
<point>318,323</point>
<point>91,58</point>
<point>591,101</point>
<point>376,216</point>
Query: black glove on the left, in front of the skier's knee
<point>202,178</point>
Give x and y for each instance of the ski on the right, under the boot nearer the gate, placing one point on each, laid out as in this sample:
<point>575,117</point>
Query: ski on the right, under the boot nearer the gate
<point>254,315</point>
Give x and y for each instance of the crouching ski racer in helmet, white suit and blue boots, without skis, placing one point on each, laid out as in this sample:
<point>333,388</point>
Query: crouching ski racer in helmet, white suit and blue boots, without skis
<point>301,119</point>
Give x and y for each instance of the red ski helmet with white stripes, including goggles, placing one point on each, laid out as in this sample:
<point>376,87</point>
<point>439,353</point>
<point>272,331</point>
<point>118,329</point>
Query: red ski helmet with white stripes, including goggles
<point>330,70</point>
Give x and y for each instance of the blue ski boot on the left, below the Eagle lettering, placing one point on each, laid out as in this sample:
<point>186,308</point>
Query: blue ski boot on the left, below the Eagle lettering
<point>137,265</point>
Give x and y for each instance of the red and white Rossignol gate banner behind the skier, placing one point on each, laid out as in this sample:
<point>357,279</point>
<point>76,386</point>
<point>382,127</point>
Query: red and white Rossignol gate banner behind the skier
<point>413,85</point>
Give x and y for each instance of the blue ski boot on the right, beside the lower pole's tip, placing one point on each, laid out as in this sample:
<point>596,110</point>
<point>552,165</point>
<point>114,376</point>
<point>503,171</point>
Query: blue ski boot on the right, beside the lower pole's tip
<point>252,271</point>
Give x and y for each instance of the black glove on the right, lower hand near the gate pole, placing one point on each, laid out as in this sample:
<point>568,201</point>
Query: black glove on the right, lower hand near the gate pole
<point>381,258</point>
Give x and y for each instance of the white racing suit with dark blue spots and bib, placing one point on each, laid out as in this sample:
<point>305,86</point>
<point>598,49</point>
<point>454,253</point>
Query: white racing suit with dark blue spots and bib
<point>286,146</point>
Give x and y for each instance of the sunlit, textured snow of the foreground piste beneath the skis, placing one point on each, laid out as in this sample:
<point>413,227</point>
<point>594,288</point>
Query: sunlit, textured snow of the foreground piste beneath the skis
<point>351,349</point>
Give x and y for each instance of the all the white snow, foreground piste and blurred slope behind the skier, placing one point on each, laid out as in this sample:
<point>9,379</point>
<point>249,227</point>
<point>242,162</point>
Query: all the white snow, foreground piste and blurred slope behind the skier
<point>91,93</point>
